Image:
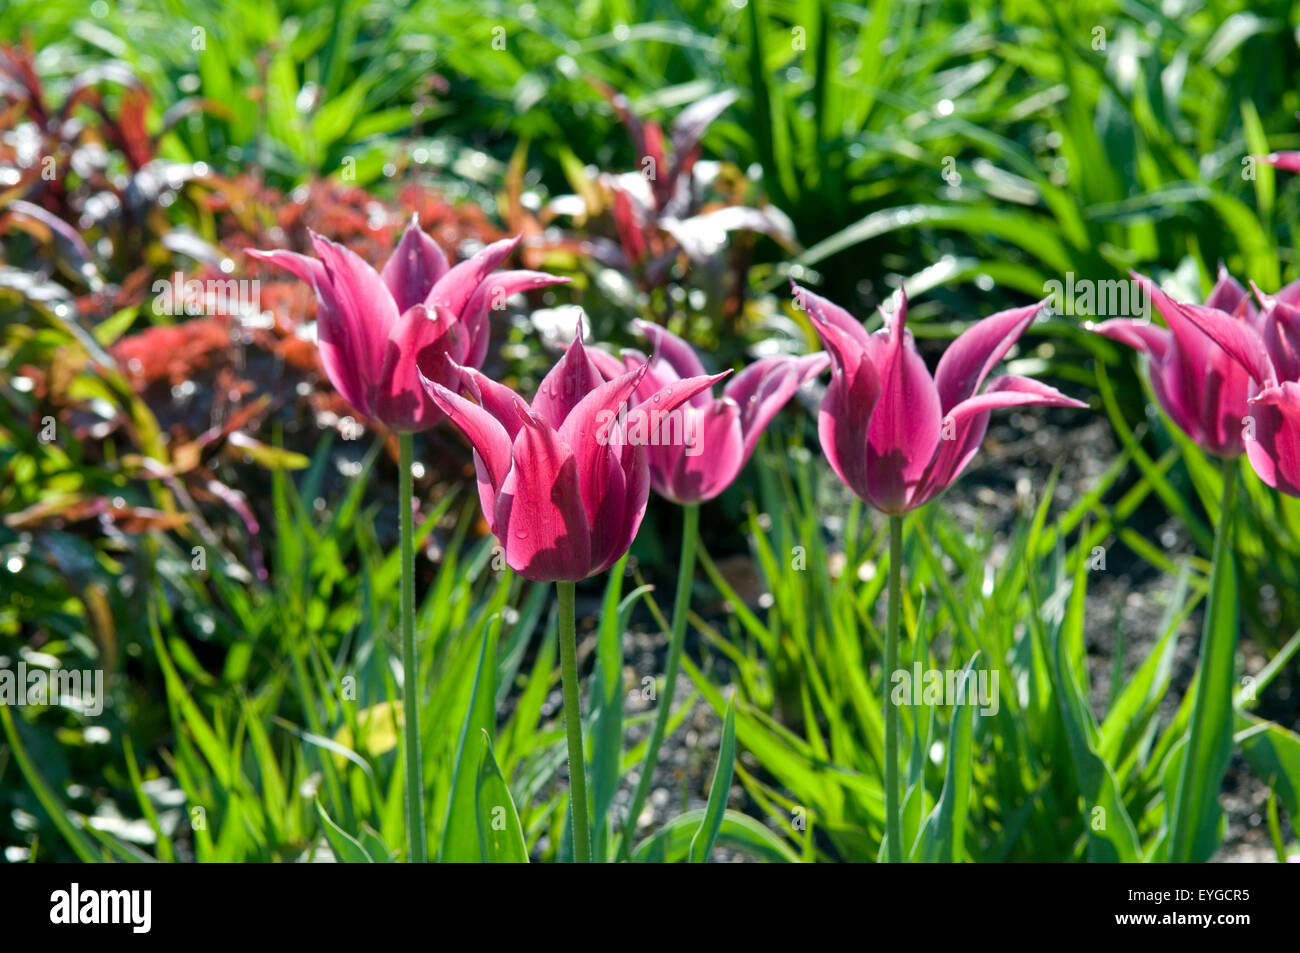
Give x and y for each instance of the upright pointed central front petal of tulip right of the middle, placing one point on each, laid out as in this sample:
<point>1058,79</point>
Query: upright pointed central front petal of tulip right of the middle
<point>905,426</point>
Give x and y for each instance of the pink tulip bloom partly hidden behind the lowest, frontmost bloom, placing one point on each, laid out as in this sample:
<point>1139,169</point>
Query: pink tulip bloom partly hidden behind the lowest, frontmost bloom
<point>697,452</point>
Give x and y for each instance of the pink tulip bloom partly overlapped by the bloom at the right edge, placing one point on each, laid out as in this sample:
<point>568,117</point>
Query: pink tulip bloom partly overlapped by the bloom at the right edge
<point>1202,389</point>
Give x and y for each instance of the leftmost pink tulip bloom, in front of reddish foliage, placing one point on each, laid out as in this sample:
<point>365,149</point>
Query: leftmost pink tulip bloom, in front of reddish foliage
<point>378,331</point>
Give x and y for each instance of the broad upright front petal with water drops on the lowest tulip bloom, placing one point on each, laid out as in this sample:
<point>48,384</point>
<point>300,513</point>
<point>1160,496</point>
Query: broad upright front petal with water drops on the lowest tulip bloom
<point>540,517</point>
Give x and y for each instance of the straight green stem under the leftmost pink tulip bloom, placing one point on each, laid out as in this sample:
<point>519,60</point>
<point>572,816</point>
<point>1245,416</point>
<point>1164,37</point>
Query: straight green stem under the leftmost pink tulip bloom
<point>417,842</point>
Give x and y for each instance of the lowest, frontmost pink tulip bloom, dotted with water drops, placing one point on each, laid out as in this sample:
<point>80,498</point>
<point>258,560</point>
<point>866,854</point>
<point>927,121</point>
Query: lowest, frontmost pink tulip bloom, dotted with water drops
<point>558,488</point>
